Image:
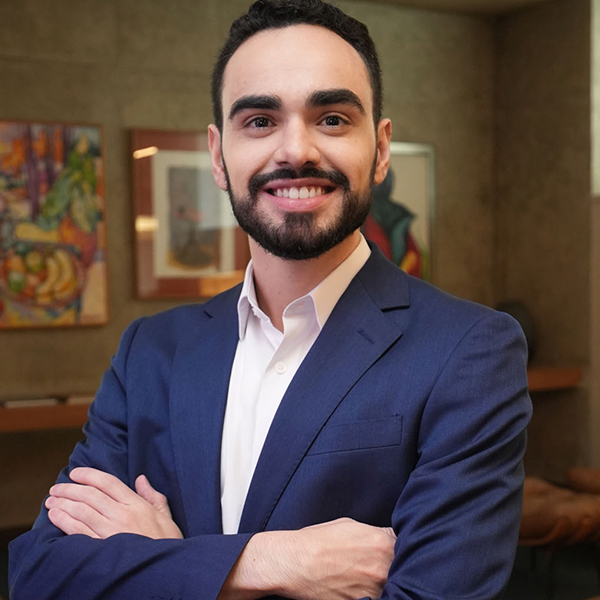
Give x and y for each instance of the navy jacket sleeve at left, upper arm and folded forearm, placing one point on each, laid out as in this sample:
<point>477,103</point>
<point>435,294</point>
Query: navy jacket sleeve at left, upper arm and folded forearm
<point>44,563</point>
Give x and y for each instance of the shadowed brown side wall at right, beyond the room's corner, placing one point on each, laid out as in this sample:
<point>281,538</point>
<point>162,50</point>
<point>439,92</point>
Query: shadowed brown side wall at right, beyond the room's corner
<point>544,210</point>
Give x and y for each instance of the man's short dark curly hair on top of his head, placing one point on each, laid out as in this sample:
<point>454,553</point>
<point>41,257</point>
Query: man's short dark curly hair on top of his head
<point>277,14</point>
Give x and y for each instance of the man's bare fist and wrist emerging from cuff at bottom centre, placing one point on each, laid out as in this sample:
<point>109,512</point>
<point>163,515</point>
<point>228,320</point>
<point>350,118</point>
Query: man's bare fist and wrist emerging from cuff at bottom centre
<point>339,560</point>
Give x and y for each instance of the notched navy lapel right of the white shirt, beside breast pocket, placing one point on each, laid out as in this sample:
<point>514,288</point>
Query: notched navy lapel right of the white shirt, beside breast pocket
<point>356,334</point>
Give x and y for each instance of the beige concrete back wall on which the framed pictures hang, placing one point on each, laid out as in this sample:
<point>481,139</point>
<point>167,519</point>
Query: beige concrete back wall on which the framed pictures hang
<point>126,63</point>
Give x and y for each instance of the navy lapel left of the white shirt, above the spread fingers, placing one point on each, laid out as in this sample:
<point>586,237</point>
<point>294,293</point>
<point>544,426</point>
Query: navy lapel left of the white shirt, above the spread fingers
<point>198,394</point>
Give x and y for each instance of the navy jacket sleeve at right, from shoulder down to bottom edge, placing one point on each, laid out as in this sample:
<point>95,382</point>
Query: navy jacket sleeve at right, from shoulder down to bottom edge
<point>457,518</point>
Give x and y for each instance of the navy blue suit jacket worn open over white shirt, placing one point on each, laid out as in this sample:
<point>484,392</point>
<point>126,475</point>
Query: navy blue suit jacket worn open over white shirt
<point>408,411</point>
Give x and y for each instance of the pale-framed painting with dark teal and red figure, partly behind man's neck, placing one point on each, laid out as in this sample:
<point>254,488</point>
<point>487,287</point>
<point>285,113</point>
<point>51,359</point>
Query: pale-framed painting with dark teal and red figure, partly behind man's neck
<point>401,217</point>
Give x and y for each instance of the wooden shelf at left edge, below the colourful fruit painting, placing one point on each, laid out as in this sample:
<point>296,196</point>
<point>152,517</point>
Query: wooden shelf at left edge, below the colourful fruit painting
<point>36,418</point>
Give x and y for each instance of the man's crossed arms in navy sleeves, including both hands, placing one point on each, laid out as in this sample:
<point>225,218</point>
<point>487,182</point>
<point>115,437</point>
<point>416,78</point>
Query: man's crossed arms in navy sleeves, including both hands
<point>456,518</point>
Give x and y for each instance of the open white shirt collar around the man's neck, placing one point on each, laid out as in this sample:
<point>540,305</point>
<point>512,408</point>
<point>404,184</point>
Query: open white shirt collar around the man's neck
<point>324,296</point>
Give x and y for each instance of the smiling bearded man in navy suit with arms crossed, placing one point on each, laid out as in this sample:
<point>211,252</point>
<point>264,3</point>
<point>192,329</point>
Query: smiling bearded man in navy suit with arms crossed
<point>280,436</point>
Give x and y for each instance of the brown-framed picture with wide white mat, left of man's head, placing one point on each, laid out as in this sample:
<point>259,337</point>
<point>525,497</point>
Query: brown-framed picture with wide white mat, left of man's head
<point>188,243</point>
